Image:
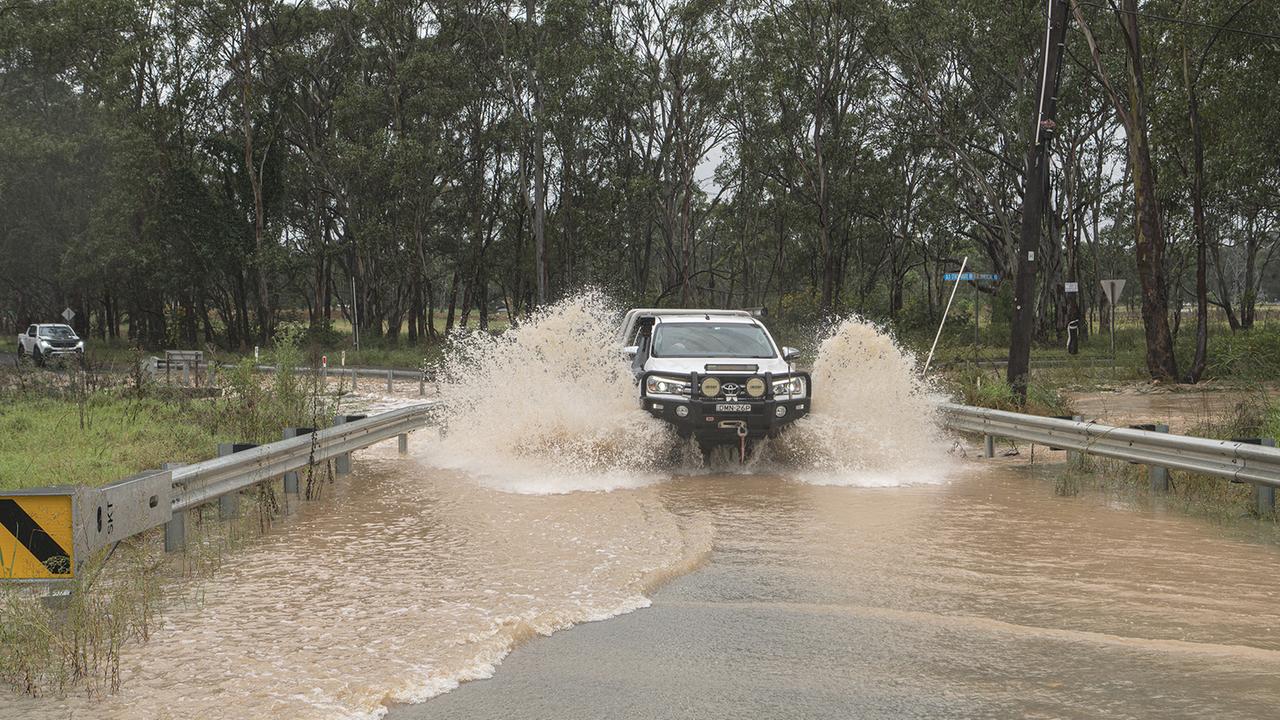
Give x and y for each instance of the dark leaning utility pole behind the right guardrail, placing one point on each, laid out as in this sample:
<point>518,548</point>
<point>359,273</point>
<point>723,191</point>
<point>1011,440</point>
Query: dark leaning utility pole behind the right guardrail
<point>1034,199</point>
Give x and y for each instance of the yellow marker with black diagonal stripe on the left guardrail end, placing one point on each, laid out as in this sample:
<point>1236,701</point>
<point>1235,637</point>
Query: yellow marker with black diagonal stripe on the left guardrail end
<point>36,537</point>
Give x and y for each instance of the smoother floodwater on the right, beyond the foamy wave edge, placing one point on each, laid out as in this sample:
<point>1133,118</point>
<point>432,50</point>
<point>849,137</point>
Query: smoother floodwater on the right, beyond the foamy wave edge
<point>985,598</point>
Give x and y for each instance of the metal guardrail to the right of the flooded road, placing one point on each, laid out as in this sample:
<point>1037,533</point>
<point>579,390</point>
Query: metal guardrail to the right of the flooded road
<point>1237,462</point>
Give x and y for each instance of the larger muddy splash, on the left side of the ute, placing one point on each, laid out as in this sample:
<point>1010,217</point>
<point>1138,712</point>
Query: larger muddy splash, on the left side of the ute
<point>550,407</point>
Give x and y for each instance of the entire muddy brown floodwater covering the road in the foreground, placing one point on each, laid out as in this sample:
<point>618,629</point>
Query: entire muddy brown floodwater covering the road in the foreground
<point>985,595</point>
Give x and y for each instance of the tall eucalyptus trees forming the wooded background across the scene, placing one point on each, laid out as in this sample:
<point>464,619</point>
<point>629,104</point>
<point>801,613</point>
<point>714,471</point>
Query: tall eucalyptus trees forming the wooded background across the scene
<point>195,171</point>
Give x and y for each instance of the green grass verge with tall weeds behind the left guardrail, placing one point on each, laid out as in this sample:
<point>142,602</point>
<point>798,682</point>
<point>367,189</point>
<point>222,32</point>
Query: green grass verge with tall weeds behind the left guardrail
<point>60,429</point>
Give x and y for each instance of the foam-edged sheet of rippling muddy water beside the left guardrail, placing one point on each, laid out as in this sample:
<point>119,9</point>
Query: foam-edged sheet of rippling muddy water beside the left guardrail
<point>396,586</point>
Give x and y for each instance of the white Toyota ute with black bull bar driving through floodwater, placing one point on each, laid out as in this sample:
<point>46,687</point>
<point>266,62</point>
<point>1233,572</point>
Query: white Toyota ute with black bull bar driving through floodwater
<point>717,376</point>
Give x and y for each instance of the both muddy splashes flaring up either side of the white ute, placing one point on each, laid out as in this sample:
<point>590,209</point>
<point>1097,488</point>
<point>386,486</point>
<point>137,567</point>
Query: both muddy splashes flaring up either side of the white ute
<point>550,407</point>
